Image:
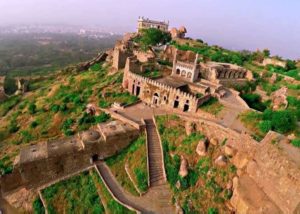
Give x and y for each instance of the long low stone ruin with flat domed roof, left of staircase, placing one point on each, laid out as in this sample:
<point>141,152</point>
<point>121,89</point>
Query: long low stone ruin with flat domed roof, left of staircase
<point>43,162</point>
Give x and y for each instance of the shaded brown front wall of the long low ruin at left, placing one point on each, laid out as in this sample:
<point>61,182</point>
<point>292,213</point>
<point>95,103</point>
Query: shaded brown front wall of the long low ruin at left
<point>39,170</point>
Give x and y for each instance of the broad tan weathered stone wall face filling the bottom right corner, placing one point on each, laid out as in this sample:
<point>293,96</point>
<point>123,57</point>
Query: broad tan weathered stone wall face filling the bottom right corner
<point>276,172</point>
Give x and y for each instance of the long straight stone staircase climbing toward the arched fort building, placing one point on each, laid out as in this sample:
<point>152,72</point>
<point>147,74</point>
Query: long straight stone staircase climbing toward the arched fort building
<point>155,158</point>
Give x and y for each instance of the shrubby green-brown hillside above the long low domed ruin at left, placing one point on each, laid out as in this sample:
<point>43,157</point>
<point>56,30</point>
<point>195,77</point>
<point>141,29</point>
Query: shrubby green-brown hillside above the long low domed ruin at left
<point>55,108</point>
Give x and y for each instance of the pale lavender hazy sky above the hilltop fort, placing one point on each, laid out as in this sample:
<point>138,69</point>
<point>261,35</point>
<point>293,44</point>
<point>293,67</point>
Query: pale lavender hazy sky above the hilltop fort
<point>235,24</point>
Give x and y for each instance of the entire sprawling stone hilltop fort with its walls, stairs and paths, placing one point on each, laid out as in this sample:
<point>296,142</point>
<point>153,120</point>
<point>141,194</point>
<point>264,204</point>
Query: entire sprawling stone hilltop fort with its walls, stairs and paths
<point>185,82</point>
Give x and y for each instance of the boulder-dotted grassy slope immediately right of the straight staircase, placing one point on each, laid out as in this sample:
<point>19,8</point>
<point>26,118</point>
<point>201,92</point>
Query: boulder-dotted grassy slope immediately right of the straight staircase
<point>203,190</point>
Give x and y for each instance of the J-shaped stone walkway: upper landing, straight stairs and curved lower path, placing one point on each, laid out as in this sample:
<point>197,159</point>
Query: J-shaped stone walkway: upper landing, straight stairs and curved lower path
<point>158,197</point>
